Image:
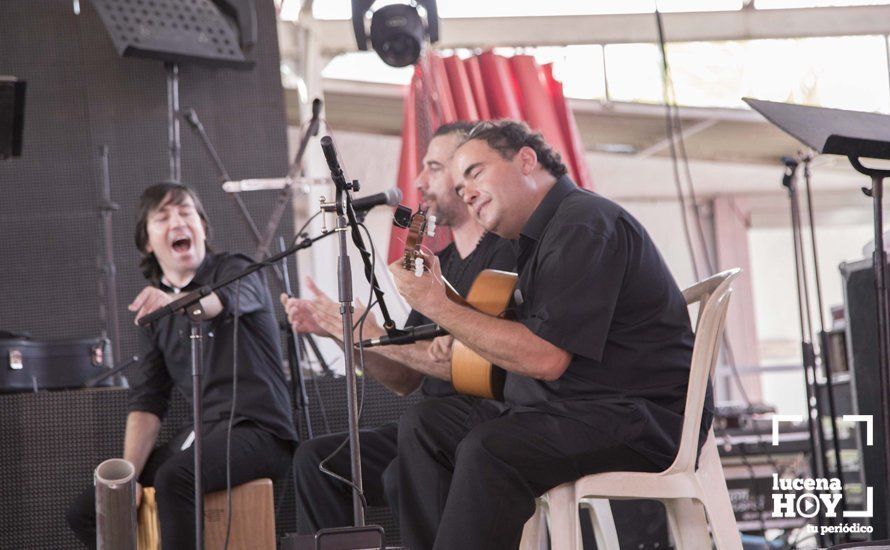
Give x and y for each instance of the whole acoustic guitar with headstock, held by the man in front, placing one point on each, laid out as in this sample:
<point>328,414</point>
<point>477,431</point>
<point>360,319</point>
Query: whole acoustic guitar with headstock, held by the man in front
<point>490,293</point>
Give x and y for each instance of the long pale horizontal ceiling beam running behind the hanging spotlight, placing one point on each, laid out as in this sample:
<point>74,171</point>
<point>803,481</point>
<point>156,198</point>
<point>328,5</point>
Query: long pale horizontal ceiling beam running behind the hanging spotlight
<point>336,36</point>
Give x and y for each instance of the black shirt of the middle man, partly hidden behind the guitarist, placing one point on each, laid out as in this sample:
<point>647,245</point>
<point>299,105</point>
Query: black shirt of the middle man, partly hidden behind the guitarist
<point>492,252</point>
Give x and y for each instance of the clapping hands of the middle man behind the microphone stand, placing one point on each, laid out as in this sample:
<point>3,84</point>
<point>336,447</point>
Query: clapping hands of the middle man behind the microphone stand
<point>321,315</point>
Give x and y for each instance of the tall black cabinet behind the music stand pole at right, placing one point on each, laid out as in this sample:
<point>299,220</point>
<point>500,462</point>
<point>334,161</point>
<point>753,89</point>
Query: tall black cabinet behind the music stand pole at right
<point>862,349</point>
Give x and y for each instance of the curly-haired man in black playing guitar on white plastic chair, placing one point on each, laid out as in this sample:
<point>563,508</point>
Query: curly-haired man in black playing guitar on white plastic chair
<point>597,364</point>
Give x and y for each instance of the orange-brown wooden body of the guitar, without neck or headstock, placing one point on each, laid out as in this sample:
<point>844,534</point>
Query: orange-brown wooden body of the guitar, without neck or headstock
<point>471,374</point>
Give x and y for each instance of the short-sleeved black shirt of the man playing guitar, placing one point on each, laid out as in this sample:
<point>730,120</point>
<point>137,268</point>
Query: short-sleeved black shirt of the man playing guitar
<point>593,283</point>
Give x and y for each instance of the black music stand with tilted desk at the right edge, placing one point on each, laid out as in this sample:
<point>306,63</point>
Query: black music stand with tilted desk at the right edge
<point>855,135</point>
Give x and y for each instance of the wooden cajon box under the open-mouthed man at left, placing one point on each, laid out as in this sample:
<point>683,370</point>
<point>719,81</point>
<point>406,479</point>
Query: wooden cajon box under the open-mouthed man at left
<point>253,518</point>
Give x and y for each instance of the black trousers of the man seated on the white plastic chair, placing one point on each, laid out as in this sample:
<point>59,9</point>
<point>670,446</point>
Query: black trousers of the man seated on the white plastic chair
<point>469,473</point>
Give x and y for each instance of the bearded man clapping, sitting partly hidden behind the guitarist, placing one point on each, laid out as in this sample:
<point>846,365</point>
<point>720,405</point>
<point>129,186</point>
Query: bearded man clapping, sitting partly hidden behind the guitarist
<point>403,369</point>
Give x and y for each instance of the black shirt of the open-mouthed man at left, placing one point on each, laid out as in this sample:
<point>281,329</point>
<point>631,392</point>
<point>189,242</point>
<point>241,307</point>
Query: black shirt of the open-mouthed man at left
<point>165,355</point>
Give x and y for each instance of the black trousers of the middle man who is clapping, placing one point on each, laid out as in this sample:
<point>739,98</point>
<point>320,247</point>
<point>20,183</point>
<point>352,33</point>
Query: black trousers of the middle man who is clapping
<point>327,502</point>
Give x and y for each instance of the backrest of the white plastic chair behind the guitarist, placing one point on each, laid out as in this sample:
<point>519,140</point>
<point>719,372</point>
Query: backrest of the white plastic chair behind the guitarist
<point>712,297</point>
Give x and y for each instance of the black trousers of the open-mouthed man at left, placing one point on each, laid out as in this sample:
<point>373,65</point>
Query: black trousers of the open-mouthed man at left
<point>255,453</point>
